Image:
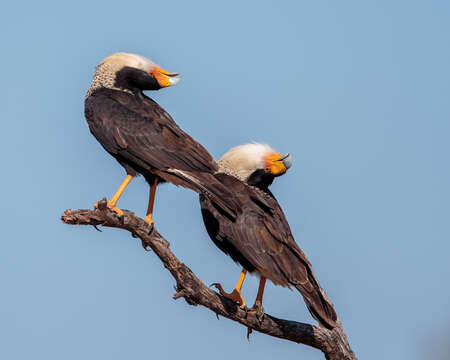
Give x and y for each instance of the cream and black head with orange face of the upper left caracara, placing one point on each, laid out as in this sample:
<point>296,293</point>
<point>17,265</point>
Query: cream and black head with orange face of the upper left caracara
<point>132,72</point>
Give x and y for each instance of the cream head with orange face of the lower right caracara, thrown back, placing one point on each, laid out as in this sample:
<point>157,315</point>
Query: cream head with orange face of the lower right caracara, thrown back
<point>256,164</point>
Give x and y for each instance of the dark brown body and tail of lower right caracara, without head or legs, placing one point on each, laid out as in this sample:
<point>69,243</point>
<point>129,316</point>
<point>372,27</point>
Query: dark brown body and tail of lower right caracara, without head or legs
<point>260,239</point>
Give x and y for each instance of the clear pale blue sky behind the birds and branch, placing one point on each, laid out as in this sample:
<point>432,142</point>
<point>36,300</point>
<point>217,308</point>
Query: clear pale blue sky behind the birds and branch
<point>357,91</point>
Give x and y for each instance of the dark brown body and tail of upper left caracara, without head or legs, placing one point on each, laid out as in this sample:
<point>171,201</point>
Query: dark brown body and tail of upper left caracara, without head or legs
<point>142,136</point>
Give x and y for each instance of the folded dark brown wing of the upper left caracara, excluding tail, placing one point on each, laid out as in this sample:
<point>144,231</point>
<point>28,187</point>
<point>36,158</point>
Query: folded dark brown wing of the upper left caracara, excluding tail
<point>141,132</point>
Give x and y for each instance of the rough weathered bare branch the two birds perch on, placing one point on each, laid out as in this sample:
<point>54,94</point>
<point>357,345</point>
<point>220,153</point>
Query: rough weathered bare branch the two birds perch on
<point>333,343</point>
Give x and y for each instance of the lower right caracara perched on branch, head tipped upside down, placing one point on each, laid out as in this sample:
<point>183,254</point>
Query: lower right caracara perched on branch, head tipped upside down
<point>260,239</point>
